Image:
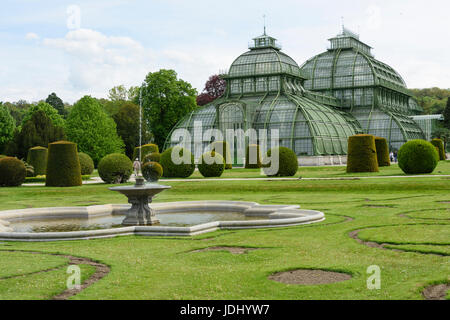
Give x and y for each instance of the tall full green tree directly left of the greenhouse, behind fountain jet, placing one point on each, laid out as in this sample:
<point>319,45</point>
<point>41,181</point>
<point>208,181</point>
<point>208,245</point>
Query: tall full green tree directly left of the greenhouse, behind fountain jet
<point>165,100</point>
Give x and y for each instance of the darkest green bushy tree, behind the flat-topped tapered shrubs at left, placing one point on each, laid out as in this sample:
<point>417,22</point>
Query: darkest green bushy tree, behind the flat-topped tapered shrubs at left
<point>39,130</point>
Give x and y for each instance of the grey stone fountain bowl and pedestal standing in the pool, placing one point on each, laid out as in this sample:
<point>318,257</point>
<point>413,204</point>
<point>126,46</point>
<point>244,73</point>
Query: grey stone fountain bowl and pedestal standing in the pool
<point>139,196</point>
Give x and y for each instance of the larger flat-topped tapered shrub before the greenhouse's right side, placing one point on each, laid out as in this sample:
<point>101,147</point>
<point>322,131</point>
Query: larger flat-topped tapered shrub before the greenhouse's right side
<point>362,154</point>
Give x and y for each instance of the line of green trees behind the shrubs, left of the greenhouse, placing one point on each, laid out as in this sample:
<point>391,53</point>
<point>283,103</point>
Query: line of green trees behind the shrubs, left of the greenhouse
<point>103,126</point>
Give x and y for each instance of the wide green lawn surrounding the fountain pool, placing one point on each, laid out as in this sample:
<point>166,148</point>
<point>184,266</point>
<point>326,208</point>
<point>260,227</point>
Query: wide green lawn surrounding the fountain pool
<point>408,214</point>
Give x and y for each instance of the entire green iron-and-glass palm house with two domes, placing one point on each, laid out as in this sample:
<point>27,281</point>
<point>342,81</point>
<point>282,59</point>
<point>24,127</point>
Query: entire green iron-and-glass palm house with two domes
<point>315,108</point>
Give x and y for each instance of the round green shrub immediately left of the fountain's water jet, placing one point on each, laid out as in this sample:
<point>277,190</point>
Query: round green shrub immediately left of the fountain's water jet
<point>115,168</point>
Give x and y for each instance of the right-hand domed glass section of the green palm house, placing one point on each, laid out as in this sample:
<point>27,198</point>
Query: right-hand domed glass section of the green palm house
<point>373,92</point>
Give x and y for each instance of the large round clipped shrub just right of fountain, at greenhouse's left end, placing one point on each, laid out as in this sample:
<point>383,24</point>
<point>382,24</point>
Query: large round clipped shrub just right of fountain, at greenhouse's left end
<point>182,170</point>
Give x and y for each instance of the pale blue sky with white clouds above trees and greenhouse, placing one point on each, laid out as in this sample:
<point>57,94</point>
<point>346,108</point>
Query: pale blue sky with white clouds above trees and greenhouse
<point>86,47</point>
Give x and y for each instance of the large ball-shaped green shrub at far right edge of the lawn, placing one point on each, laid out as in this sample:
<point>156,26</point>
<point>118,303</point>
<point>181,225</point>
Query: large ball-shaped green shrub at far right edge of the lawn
<point>418,156</point>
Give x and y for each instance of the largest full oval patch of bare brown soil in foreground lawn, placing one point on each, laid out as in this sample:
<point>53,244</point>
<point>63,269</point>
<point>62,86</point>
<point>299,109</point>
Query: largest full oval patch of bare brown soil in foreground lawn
<point>309,277</point>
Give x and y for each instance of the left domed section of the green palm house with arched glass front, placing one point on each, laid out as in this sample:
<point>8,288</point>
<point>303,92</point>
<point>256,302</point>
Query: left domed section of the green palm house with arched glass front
<point>265,91</point>
